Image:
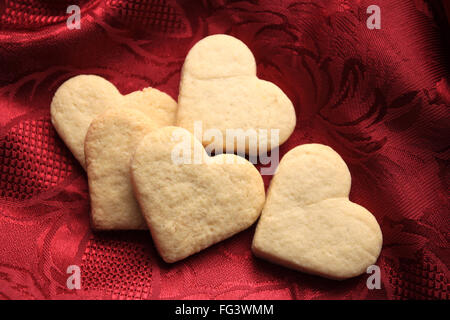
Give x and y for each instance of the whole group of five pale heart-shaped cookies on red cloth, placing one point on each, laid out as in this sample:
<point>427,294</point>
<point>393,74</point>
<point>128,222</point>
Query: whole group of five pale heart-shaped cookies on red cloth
<point>147,169</point>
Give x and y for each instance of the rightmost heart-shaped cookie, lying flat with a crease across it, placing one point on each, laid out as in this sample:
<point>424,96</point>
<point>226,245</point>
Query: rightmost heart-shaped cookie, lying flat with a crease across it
<point>309,224</point>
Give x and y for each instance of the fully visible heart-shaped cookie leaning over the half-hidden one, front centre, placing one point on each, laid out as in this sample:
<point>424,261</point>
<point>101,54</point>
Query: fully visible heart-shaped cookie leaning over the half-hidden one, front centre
<point>190,200</point>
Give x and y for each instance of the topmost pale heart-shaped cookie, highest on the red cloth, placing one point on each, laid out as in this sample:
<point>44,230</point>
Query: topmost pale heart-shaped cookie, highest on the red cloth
<point>219,90</point>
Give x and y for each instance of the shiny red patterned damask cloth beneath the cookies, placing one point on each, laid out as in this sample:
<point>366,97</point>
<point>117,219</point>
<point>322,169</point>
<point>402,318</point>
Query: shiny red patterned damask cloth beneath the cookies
<point>378,97</point>
